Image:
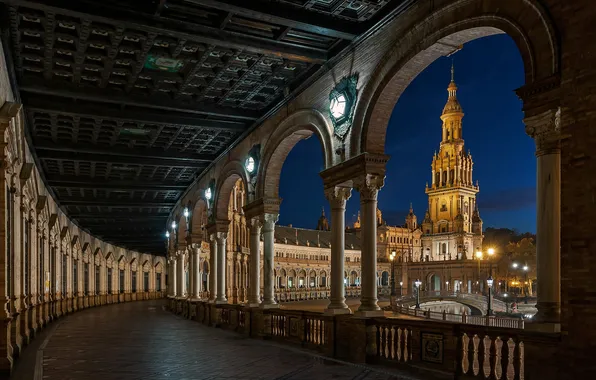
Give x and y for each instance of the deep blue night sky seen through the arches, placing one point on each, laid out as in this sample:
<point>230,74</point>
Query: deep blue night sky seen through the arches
<point>487,71</point>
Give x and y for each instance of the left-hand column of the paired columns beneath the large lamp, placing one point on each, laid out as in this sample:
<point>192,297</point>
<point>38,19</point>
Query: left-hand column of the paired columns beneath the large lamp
<point>337,197</point>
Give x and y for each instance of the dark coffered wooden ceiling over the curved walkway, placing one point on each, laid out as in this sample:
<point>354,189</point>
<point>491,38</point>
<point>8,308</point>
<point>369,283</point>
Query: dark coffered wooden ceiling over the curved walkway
<point>127,102</point>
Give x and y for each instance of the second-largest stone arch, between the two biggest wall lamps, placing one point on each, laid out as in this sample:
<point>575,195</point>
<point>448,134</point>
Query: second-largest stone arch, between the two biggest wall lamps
<point>298,126</point>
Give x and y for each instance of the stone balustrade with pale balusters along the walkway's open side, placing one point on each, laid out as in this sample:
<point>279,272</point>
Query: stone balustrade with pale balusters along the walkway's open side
<point>451,349</point>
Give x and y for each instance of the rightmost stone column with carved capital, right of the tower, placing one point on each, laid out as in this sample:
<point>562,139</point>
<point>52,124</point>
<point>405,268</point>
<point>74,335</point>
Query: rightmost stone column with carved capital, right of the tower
<point>545,129</point>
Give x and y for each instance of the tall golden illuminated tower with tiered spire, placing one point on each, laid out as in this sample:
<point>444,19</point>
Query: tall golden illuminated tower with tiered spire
<point>450,230</point>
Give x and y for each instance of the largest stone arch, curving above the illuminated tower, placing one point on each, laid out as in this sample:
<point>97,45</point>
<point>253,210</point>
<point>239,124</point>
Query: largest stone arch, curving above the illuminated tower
<point>433,36</point>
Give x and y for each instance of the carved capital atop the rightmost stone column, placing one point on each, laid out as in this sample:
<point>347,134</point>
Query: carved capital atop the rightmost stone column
<point>545,129</point>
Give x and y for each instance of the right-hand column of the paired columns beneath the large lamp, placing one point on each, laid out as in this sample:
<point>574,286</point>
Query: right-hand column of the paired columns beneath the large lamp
<point>368,187</point>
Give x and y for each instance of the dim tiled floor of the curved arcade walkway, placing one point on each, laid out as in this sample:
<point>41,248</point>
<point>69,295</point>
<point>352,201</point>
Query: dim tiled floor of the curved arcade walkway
<point>140,340</point>
